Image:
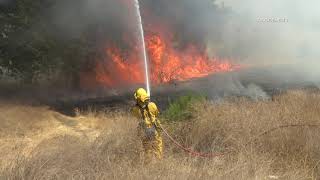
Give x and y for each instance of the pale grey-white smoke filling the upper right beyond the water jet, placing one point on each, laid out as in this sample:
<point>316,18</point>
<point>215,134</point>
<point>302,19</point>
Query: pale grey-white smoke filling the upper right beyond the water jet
<point>256,33</point>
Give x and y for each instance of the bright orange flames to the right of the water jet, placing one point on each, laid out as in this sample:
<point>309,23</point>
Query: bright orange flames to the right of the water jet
<point>168,64</point>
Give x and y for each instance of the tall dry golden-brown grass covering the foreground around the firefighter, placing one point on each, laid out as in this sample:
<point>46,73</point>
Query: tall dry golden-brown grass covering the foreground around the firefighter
<point>99,145</point>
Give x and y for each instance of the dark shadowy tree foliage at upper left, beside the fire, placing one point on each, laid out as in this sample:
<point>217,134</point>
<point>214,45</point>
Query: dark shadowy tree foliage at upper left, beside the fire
<point>30,51</point>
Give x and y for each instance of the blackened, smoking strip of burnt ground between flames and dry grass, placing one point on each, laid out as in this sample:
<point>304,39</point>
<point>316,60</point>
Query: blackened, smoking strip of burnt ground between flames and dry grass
<point>254,83</point>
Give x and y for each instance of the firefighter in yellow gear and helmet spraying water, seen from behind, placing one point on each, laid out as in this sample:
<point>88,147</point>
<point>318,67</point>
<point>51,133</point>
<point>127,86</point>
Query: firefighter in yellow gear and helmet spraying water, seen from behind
<point>149,127</point>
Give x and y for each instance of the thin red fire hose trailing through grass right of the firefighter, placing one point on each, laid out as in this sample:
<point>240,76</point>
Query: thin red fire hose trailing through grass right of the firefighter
<point>216,154</point>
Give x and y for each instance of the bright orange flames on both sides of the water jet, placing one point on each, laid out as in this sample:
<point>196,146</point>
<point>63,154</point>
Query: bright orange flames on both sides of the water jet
<point>167,63</point>
